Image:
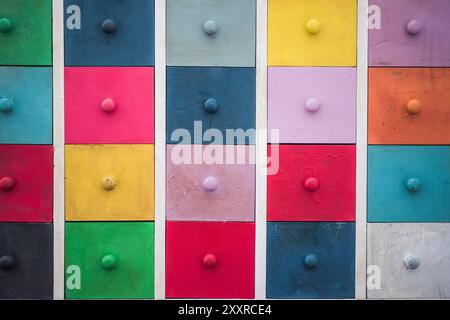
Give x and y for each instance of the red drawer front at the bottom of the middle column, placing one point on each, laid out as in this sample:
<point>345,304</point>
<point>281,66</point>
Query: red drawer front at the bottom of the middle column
<point>210,260</point>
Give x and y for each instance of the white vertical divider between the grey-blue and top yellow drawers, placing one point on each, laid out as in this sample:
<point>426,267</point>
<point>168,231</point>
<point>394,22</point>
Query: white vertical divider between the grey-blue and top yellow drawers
<point>261,149</point>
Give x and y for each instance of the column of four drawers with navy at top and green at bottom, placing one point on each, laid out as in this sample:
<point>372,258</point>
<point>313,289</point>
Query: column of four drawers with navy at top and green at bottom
<point>109,152</point>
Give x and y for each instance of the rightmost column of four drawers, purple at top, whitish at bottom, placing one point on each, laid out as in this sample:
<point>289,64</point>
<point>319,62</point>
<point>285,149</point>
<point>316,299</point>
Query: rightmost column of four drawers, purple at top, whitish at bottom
<point>409,152</point>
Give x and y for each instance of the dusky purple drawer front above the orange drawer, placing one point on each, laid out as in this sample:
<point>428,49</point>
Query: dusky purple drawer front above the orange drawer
<point>393,45</point>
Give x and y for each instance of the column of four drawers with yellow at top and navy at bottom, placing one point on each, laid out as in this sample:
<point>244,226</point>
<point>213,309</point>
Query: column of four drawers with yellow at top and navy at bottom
<point>311,181</point>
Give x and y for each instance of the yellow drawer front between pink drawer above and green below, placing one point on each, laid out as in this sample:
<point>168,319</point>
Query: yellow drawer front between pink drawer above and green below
<point>109,182</point>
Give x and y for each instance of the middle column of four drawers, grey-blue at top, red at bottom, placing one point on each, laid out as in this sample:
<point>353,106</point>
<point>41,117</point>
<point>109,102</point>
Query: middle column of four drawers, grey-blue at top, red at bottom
<point>210,200</point>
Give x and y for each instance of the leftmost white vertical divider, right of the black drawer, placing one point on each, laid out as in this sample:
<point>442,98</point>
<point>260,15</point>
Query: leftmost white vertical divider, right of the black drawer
<point>58,144</point>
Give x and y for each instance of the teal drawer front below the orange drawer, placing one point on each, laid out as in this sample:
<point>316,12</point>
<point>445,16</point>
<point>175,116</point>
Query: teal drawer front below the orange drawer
<point>408,184</point>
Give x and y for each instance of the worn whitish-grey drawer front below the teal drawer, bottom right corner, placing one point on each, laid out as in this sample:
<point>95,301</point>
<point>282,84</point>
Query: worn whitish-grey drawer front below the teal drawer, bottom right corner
<point>410,259</point>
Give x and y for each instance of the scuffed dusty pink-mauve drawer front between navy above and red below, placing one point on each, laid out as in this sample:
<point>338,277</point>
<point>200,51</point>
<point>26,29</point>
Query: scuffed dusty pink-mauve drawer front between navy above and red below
<point>233,199</point>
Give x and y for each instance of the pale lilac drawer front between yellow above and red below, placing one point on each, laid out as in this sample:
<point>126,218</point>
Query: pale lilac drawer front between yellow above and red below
<point>295,114</point>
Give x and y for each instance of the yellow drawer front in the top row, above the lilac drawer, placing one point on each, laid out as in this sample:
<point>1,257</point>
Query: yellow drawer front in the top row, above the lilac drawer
<point>290,43</point>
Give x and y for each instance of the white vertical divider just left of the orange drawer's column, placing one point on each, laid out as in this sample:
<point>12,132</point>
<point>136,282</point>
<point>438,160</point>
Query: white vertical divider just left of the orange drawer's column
<point>361,152</point>
